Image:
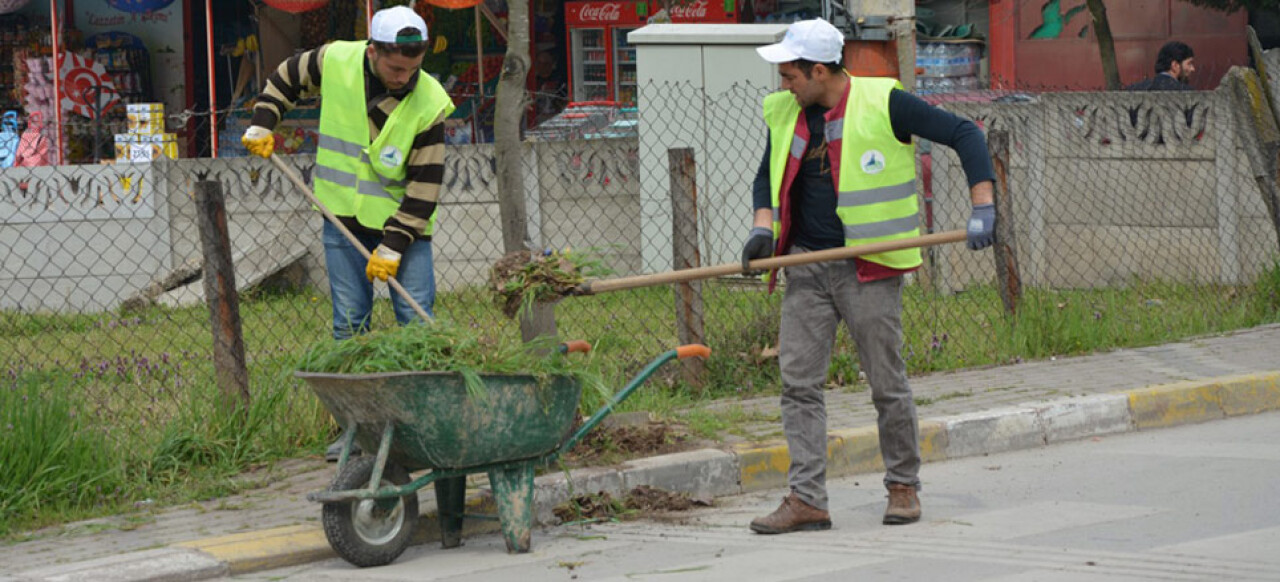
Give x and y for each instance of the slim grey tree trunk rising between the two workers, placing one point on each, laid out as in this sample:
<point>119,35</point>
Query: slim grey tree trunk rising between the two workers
<point>510,108</point>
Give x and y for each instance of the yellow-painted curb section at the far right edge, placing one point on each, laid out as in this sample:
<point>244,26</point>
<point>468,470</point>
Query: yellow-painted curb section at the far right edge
<point>1200,401</point>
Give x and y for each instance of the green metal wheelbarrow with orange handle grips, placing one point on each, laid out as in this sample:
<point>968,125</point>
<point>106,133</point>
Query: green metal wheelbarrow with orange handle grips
<point>428,421</point>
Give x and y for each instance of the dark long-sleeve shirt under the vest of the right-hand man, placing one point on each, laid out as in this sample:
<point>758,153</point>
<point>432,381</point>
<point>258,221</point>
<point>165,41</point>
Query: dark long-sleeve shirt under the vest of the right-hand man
<point>813,195</point>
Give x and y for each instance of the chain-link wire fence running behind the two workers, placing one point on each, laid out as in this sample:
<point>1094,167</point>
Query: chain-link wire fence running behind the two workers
<point>1126,219</point>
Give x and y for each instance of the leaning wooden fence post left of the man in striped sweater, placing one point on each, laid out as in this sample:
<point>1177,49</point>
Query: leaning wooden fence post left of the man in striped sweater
<point>221,295</point>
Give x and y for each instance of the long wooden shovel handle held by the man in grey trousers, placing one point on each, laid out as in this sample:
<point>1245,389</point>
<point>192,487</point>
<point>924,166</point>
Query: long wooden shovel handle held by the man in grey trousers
<point>592,288</point>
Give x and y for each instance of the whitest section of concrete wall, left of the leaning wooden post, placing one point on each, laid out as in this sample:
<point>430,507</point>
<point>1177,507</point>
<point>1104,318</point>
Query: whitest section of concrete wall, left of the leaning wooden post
<point>80,240</point>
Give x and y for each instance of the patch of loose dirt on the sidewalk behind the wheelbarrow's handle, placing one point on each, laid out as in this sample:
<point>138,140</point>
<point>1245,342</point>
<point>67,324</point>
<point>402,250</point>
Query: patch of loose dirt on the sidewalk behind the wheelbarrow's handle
<point>609,446</point>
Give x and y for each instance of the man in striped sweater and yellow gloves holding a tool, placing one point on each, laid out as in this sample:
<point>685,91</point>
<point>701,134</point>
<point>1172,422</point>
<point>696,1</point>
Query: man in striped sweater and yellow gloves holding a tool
<point>380,163</point>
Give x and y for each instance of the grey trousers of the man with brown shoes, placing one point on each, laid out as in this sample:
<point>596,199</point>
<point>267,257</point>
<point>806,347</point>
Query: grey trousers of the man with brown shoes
<point>817,299</point>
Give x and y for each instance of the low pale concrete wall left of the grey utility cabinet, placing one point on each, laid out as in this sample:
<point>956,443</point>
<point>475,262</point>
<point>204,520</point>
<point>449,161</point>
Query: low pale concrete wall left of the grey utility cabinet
<point>85,239</point>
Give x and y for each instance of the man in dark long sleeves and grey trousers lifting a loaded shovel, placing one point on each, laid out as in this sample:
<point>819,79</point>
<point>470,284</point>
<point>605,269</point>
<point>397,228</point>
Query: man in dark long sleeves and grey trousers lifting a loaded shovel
<point>840,171</point>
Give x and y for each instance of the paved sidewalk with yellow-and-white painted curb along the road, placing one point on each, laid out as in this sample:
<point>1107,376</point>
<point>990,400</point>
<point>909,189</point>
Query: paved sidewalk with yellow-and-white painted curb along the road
<point>962,414</point>
